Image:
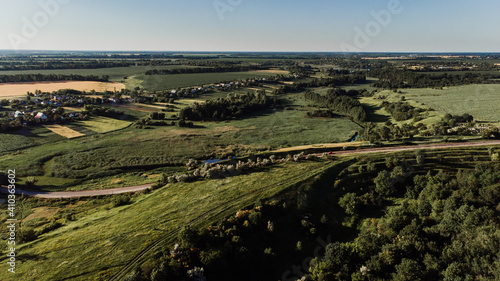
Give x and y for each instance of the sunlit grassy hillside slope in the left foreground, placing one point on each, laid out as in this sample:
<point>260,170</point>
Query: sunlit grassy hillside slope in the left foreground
<point>118,234</point>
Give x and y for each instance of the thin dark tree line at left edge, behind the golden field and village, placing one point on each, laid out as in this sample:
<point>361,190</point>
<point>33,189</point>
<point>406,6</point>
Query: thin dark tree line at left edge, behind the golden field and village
<point>50,77</point>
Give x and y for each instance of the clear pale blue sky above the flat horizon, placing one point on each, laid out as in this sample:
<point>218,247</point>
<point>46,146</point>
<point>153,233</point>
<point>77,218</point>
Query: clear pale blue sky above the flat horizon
<point>252,25</point>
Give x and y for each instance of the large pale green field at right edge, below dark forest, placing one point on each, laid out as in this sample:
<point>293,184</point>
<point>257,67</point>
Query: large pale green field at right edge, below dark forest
<point>481,101</point>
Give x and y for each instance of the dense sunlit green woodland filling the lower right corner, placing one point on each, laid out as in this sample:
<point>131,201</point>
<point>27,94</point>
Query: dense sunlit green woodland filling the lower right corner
<point>446,228</point>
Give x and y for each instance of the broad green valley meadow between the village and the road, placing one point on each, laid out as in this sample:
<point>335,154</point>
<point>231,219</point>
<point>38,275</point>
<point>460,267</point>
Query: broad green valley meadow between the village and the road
<point>95,154</point>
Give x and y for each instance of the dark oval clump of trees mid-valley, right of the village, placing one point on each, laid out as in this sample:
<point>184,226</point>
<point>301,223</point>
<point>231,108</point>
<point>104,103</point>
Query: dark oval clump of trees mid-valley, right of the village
<point>234,106</point>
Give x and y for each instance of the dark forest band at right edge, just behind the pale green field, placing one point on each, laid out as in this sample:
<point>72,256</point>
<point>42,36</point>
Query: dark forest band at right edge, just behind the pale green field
<point>393,78</point>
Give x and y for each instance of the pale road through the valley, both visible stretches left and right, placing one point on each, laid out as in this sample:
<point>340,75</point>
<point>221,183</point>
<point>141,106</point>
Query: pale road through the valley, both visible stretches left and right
<point>90,193</point>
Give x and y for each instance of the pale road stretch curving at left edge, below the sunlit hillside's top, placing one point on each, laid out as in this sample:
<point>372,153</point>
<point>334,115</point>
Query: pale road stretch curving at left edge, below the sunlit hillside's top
<point>76,194</point>
